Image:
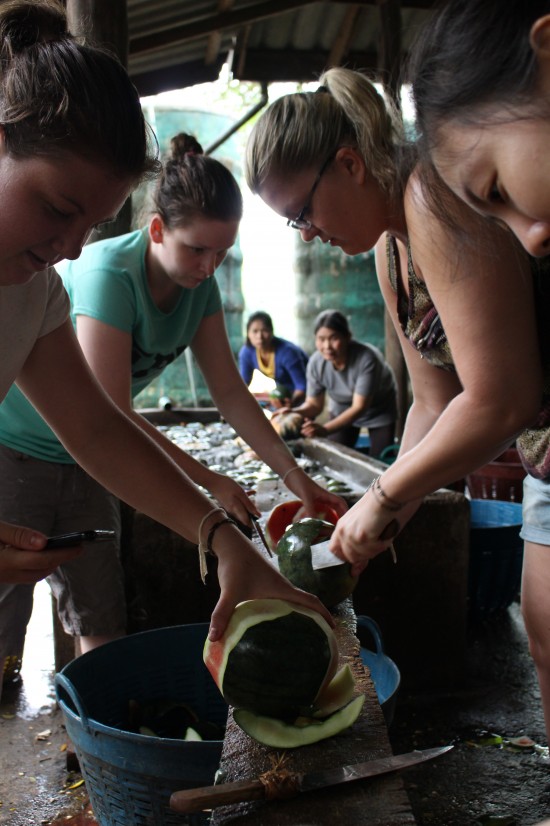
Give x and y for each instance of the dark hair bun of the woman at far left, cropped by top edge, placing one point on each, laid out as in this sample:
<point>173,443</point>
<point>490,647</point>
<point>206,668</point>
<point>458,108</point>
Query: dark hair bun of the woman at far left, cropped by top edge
<point>24,23</point>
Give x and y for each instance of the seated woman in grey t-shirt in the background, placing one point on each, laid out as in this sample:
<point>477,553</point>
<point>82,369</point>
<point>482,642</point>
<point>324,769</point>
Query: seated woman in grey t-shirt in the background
<point>360,385</point>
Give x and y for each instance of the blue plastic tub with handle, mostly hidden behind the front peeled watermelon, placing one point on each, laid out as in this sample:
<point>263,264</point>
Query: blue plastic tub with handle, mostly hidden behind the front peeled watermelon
<point>384,672</point>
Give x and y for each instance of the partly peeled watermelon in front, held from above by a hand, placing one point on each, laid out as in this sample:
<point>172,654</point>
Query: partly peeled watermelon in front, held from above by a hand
<point>277,662</point>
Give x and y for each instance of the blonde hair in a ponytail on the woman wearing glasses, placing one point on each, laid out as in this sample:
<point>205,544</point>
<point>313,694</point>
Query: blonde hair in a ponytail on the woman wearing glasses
<point>303,129</point>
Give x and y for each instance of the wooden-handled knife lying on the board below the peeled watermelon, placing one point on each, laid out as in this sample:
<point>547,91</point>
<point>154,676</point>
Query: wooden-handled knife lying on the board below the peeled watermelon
<point>208,797</point>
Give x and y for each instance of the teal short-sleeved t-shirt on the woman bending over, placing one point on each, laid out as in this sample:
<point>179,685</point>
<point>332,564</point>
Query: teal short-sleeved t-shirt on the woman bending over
<point>108,282</point>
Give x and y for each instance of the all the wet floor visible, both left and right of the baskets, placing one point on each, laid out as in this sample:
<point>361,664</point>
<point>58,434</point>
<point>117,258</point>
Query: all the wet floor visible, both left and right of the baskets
<point>482,782</point>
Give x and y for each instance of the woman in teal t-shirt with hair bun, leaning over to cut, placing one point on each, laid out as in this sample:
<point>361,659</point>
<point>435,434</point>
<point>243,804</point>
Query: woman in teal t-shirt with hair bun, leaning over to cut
<point>137,301</point>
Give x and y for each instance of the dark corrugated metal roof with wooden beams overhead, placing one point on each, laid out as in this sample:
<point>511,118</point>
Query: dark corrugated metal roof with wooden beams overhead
<point>177,43</point>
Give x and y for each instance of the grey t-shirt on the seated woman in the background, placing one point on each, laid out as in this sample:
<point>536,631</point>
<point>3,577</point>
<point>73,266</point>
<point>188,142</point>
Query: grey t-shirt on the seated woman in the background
<point>366,373</point>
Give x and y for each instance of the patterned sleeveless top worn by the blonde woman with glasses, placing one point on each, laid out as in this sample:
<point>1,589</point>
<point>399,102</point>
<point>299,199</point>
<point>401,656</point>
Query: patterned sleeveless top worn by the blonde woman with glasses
<point>422,327</point>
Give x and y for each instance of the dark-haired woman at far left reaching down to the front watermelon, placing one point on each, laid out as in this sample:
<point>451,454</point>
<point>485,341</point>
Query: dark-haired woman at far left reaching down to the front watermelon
<point>73,144</point>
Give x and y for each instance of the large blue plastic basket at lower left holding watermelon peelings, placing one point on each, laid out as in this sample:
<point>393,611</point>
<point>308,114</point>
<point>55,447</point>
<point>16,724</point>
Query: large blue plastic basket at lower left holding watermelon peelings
<point>130,777</point>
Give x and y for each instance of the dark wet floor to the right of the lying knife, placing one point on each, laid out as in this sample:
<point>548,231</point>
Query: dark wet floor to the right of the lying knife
<point>484,781</point>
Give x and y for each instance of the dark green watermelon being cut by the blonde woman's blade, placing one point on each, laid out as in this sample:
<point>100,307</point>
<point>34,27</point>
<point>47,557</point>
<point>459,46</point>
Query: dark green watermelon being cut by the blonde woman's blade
<point>331,585</point>
